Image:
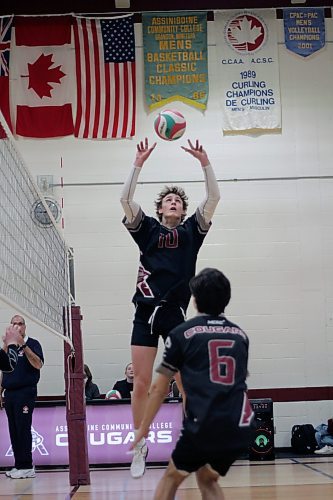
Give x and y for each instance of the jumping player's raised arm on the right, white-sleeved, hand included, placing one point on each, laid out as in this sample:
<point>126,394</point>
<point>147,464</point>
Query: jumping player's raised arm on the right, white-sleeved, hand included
<point>209,203</point>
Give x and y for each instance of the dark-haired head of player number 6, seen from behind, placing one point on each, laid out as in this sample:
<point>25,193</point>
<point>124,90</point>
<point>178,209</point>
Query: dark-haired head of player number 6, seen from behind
<point>211,291</point>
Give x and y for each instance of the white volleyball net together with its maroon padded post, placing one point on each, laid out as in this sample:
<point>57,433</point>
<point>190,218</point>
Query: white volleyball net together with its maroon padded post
<point>35,279</point>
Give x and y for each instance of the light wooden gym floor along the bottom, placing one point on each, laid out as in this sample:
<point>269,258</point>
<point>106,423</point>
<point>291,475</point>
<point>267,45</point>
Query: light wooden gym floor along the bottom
<point>282,479</point>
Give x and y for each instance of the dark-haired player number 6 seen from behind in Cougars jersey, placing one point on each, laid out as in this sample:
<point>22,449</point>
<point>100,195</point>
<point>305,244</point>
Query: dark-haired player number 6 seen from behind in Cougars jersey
<point>211,354</point>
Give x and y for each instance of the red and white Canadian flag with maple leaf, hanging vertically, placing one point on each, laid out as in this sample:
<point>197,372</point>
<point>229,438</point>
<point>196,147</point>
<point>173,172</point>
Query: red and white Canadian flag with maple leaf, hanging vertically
<point>42,77</point>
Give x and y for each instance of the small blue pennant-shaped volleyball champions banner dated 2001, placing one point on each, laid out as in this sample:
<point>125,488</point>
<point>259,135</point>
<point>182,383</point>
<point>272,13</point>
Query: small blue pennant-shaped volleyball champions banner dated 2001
<point>304,30</point>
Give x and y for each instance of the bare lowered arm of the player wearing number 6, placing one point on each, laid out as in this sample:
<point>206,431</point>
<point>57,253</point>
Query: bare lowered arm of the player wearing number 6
<point>157,394</point>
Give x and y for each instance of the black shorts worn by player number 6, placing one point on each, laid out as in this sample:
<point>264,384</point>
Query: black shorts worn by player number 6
<point>189,456</point>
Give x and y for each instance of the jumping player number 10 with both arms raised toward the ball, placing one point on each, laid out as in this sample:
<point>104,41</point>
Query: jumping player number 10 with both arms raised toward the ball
<point>168,253</point>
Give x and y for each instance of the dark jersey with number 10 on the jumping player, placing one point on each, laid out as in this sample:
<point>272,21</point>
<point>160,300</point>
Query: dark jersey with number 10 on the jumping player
<point>167,257</point>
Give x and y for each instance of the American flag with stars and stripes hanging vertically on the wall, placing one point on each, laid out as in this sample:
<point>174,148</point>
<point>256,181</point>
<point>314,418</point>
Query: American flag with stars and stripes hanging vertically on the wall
<point>105,72</point>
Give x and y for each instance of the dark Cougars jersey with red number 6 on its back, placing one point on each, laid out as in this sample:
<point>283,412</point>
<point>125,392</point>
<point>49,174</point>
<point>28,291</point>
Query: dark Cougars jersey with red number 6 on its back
<point>211,354</point>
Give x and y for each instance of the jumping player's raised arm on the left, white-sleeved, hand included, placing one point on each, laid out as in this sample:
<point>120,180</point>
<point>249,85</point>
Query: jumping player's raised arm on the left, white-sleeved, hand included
<point>130,207</point>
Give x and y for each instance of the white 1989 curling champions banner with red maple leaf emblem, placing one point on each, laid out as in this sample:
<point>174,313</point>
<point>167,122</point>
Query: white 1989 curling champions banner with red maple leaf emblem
<point>246,44</point>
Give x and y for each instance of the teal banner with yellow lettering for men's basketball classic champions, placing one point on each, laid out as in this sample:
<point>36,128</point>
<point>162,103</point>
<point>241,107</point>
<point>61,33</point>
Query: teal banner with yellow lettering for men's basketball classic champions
<point>175,58</point>
